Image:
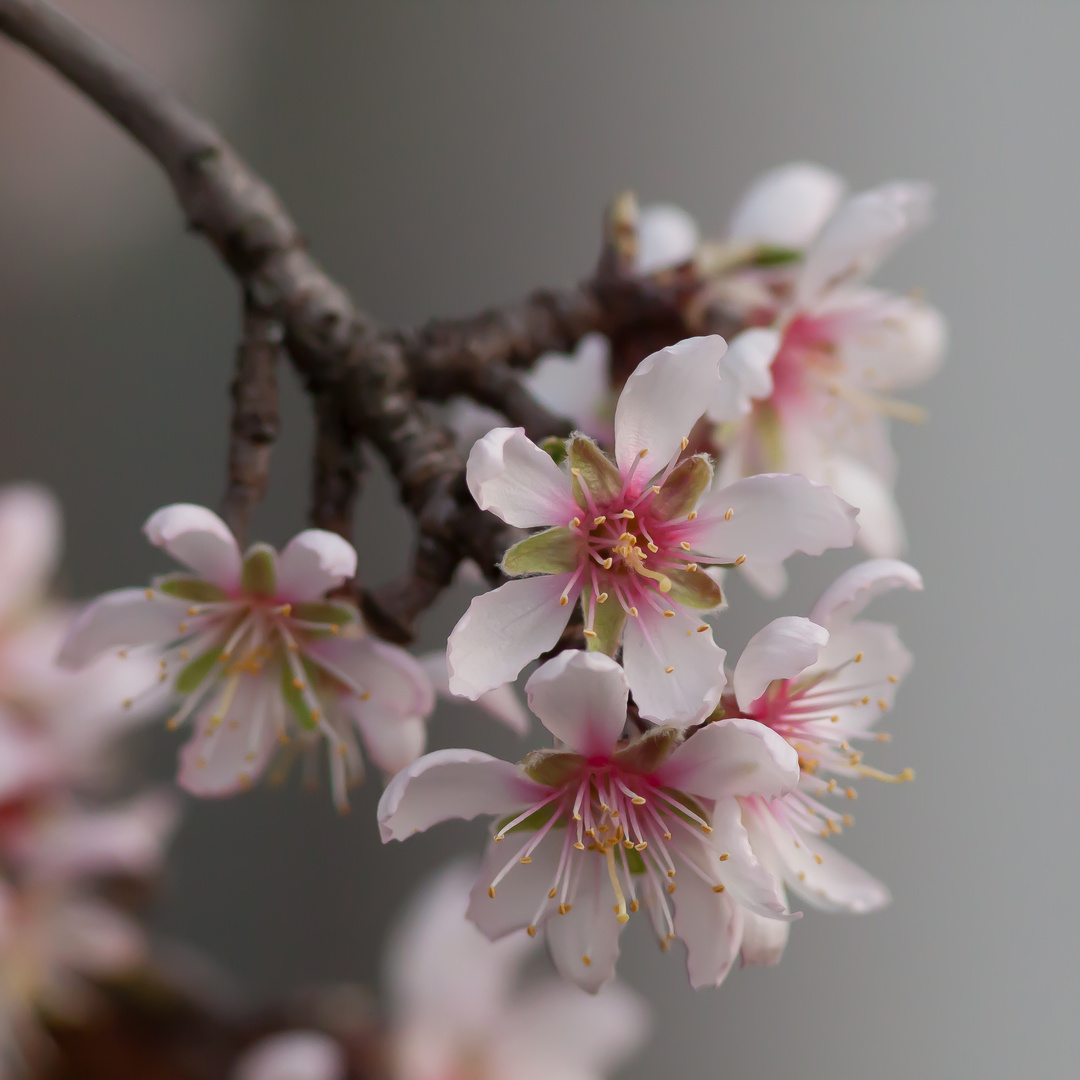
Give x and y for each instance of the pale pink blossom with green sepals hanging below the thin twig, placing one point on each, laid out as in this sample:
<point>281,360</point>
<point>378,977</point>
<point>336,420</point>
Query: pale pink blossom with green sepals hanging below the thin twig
<point>258,656</point>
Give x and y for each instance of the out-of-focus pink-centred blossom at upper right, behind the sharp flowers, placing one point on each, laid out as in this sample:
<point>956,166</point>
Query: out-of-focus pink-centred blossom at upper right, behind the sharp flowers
<point>809,388</point>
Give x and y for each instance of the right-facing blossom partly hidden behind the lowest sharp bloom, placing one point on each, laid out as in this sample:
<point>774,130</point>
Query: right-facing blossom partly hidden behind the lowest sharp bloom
<point>820,683</point>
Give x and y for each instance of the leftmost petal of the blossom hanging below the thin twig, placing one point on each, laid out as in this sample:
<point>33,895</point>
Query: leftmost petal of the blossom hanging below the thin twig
<point>128,617</point>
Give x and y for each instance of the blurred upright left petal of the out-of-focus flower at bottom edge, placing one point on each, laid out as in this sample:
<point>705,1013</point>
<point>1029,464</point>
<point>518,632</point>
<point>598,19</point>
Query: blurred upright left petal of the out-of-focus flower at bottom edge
<point>441,968</point>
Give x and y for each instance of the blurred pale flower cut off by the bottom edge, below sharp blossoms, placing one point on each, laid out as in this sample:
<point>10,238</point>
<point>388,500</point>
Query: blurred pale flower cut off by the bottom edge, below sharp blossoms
<point>458,1010</point>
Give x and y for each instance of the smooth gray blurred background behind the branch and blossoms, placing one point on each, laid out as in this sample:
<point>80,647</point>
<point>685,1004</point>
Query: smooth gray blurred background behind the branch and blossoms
<point>442,157</point>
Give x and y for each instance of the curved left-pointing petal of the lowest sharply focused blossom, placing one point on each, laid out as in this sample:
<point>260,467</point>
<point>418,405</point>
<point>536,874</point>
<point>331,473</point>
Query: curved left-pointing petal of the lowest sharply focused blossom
<point>452,784</point>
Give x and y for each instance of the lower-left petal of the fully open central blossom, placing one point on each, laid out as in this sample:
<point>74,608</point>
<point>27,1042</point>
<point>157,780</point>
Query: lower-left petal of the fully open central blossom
<point>504,630</point>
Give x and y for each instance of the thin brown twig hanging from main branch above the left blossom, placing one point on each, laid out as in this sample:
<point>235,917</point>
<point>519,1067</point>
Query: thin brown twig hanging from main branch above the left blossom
<point>255,420</point>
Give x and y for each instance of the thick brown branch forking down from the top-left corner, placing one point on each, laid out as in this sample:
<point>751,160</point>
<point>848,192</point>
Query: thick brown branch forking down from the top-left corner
<point>367,384</point>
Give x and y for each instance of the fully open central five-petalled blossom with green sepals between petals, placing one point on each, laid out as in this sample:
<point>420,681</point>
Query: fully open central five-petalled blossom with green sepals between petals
<point>631,541</point>
